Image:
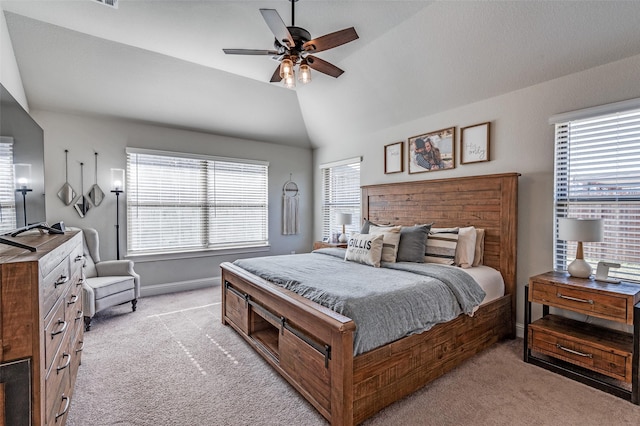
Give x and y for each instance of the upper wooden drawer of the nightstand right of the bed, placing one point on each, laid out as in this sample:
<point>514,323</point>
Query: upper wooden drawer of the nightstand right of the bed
<point>603,305</point>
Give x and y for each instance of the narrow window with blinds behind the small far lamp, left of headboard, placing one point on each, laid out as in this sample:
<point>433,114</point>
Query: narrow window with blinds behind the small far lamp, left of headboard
<point>340,194</point>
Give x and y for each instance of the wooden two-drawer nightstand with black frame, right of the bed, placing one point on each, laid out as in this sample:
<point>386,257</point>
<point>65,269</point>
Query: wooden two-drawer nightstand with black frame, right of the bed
<point>597,356</point>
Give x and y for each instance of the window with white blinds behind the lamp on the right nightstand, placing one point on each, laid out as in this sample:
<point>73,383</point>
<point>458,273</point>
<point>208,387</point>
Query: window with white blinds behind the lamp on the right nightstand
<point>597,175</point>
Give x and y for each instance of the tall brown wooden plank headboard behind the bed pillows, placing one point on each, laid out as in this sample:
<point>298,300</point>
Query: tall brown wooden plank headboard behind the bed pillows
<point>489,202</point>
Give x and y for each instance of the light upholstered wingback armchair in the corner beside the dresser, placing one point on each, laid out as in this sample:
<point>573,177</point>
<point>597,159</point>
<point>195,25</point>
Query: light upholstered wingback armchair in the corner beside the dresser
<point>106,283</point>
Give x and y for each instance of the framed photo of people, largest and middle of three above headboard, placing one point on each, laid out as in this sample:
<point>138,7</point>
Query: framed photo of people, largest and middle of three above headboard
<point>432,151</point>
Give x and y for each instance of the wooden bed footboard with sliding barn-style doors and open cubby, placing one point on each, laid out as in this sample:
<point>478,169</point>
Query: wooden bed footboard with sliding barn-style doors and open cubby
<point>309,345</point>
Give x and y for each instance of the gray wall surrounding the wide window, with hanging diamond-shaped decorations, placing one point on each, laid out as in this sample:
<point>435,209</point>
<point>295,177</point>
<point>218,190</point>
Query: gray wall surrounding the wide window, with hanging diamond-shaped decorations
<point>83,135</point>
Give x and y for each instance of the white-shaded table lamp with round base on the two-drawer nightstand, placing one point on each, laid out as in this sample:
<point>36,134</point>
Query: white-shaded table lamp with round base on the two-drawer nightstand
<point>580,230</point>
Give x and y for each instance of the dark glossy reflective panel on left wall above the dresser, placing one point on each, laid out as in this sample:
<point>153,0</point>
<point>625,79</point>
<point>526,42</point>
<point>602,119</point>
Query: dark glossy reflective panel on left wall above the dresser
<point>27,139</point>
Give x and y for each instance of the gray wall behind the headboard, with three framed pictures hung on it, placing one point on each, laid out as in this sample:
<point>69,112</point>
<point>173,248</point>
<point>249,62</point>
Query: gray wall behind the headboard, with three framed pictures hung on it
<point>521,141</point>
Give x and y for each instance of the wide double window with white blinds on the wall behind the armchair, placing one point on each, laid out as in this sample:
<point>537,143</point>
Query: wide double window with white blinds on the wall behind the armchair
<point>180,202</point>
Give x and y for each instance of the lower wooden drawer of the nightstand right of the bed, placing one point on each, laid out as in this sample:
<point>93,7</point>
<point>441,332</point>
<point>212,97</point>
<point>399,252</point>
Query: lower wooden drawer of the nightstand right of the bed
<point>601,350</point>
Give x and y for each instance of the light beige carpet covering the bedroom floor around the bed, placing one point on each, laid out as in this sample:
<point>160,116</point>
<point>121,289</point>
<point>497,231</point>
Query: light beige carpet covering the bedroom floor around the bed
<point>173,363</point>
